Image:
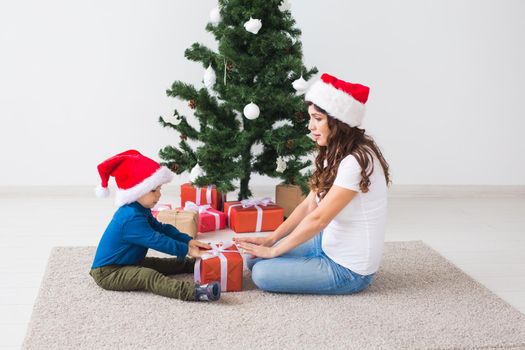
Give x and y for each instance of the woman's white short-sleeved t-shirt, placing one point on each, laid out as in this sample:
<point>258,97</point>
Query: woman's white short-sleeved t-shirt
<point>355,237</point>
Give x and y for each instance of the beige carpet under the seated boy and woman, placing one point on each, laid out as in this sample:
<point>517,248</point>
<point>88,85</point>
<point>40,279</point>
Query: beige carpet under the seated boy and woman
<point>418,301</point>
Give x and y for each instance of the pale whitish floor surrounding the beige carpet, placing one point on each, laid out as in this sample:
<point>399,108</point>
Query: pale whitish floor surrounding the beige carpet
<point>483,234</point>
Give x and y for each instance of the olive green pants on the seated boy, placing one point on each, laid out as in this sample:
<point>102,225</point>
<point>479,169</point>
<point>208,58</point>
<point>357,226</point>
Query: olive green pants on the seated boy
<point>149,274</point>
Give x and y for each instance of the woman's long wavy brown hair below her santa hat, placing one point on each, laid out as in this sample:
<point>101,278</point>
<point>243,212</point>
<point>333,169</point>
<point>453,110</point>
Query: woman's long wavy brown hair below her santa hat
<point>342,141</point>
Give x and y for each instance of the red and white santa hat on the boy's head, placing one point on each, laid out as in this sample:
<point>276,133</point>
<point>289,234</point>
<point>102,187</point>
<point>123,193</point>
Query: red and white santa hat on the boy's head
<point>134,174</point>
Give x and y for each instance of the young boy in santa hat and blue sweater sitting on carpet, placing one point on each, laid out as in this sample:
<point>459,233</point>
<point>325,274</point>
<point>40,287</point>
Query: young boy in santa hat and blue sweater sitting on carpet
<point>120,262</point>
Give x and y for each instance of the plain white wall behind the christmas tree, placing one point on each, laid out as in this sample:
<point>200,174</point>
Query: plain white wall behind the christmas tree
<point>82,80</point>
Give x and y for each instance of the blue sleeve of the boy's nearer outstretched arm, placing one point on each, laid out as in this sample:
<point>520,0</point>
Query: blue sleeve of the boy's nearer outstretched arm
<point>137,230</point>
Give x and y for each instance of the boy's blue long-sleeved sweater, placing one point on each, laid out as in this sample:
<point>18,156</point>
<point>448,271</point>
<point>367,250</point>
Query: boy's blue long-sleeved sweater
<point>131,232</point>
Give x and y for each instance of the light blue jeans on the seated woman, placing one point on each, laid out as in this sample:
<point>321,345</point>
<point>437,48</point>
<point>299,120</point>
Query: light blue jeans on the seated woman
<point>308,270</point>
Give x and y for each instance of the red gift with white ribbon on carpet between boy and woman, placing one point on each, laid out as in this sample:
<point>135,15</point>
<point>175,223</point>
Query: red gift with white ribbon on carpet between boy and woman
<point>223,263</point>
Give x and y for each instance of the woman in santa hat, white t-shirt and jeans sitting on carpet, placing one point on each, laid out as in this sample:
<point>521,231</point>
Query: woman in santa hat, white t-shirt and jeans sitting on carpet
<point>333,241</point>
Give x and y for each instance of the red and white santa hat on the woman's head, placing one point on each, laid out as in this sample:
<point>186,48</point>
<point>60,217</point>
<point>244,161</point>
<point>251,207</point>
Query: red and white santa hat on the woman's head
<point>342,100</point>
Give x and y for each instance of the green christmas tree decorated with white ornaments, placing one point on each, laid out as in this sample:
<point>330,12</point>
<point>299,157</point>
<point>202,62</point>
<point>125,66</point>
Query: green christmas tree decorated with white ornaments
<point>250,99</point>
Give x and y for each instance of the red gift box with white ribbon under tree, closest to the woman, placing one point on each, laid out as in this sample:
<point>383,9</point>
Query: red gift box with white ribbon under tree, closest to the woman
<point>253,215</point>
